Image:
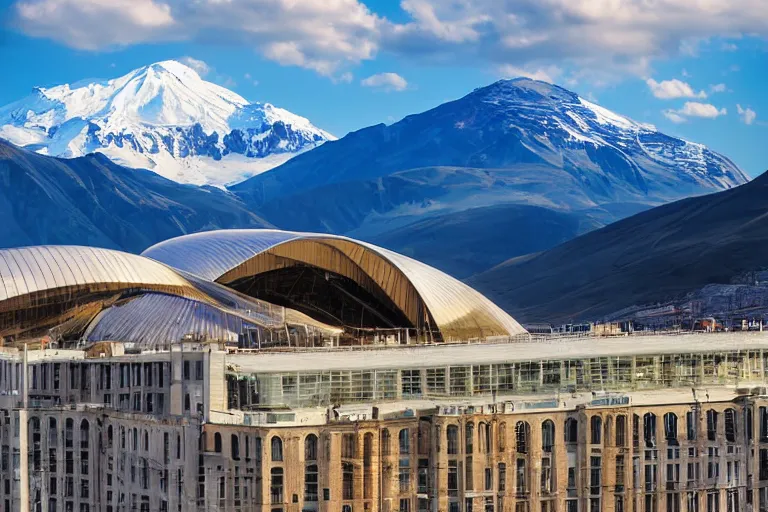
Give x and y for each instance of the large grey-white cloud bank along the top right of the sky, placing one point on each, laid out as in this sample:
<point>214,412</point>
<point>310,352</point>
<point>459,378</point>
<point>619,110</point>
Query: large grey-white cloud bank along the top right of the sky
<point>622,36</point>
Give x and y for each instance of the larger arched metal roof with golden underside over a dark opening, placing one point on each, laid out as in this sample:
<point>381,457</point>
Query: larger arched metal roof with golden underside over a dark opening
<point>225,256</point>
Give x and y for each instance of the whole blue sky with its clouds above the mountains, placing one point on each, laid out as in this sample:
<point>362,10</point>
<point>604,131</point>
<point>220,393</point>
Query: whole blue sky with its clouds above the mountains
<point>694,69</point>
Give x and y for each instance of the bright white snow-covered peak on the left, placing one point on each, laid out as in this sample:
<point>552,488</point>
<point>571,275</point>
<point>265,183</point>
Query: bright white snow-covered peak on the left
<point>163,117</point>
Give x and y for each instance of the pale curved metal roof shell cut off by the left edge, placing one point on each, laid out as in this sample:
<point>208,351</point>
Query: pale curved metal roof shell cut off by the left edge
<point>29,270</point>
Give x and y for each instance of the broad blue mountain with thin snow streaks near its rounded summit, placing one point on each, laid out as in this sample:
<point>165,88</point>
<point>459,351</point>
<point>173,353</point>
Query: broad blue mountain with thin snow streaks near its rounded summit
<point>515,142</point>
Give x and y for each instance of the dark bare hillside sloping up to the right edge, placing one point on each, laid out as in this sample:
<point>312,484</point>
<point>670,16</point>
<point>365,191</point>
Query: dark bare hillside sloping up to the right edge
<point>653,256</point>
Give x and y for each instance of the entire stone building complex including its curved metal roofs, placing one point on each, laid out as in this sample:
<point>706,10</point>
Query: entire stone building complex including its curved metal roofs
<point>272,371</point>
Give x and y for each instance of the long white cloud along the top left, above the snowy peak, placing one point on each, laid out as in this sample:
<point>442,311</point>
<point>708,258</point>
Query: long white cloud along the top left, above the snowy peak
<point>316,34</point>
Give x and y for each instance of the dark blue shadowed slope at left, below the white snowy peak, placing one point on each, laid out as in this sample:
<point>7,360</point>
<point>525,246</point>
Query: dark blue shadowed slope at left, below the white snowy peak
<point>92,201</point>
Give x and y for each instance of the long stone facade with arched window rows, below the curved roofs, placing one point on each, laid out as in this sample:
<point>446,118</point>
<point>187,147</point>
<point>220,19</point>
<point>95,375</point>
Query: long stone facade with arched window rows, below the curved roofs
<point>156,431</point>
